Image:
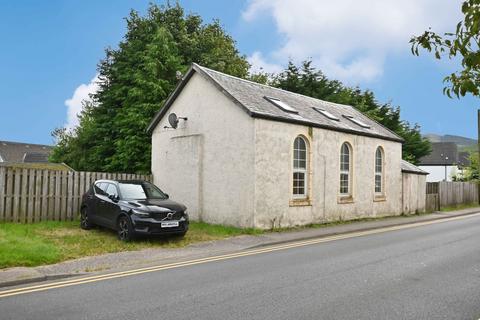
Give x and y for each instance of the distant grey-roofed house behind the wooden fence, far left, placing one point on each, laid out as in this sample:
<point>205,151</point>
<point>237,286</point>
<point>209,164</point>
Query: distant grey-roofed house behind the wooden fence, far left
<point>27,155</point>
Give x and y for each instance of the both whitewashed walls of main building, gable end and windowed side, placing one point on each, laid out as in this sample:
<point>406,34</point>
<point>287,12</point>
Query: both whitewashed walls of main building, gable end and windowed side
<point>229,168</point>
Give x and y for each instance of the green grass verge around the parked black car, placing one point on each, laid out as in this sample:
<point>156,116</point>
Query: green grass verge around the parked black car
<point>51,241</point>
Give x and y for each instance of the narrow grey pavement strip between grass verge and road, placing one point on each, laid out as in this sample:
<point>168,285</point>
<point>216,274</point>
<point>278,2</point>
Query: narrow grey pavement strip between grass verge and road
<point>151,257</point>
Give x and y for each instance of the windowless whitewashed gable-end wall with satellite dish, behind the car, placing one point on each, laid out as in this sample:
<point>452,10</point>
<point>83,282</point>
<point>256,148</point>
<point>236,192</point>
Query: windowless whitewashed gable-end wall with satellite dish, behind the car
<point>207,163</point>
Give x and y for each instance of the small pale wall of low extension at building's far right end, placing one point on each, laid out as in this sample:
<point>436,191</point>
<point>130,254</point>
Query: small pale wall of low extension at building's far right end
<point>414,192</point>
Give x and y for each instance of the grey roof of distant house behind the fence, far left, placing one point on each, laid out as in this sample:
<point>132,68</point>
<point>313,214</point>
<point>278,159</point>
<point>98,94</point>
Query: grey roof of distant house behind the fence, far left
<point>16,152</point>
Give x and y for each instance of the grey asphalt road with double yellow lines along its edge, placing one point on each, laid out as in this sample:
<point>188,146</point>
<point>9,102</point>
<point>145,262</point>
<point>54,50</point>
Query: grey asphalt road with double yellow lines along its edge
<point>429,271</point>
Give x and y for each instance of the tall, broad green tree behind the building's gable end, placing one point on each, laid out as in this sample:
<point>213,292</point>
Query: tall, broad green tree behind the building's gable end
<point>135,80</point>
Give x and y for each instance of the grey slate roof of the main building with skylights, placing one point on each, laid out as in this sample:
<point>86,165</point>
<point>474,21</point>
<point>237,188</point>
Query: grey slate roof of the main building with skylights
<point>251,97</point>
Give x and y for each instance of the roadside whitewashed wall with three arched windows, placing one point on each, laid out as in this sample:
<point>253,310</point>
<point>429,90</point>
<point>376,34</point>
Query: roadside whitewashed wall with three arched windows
<point>273,172</point>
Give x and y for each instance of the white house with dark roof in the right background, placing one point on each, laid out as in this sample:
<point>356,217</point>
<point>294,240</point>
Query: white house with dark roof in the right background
<point>444,162</point>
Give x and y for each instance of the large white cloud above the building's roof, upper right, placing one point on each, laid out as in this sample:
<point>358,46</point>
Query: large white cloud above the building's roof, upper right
<point>349,39</point>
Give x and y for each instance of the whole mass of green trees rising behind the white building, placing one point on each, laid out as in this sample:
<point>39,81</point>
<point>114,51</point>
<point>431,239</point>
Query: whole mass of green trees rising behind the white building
<point>136,78</point>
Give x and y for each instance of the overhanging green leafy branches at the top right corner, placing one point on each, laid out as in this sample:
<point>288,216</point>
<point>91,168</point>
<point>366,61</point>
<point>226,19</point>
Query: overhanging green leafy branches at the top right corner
<point>463,43</point>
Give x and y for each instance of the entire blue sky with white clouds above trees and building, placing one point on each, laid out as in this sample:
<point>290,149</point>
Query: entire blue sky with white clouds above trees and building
<point>50,48</point>
